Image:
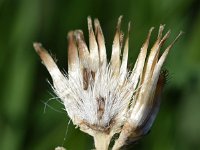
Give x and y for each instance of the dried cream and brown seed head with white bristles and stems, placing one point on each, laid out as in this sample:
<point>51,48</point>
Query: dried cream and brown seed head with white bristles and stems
<point>102,97</point>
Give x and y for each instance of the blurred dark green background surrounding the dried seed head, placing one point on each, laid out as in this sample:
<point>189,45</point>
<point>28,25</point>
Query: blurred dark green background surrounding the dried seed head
<point>25,122</point>
